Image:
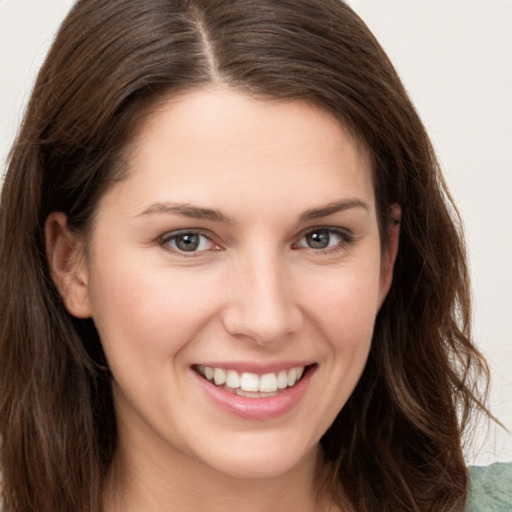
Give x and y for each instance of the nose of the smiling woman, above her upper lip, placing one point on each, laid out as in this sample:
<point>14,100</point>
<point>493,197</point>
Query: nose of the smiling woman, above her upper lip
<point>262,304</point>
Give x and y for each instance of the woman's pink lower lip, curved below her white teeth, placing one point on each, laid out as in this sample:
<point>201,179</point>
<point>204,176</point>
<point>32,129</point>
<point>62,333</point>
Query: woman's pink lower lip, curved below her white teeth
<point>257,408</point>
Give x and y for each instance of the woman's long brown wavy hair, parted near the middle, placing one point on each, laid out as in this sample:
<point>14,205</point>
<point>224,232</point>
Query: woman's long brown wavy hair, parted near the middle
<point>396,445</point>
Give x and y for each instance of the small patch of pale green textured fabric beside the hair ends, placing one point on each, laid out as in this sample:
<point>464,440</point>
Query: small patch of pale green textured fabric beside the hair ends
<point>490,488</point>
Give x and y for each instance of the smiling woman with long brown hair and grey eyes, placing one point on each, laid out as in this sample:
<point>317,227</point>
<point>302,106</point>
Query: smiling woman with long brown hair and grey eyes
<point>232,276</point>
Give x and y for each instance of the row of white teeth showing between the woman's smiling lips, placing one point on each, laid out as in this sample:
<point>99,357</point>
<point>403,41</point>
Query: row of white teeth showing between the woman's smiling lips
<point>252,385</point>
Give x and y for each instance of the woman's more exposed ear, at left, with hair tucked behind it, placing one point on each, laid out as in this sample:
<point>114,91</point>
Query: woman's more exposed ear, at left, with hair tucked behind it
<point>67,264</point>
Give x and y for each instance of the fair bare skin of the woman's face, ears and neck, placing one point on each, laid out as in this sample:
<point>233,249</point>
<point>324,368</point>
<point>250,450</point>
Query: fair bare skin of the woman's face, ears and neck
<point>254,292</point>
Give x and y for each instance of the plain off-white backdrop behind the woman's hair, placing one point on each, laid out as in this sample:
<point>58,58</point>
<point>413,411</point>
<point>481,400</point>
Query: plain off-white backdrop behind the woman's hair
<point>454,57</point>
